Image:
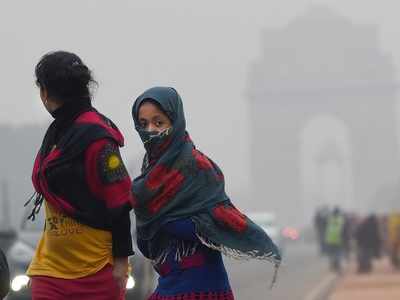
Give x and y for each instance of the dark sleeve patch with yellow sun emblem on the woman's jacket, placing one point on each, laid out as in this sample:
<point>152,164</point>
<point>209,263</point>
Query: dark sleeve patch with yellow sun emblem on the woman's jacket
<point>111,167</point>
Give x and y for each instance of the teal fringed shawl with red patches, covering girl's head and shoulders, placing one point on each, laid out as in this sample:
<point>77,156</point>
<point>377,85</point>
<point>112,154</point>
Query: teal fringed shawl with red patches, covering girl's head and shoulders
<point>178,182</point>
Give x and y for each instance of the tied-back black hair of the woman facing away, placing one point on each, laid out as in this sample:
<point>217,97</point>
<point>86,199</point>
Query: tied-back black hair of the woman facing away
<point>64,76</point>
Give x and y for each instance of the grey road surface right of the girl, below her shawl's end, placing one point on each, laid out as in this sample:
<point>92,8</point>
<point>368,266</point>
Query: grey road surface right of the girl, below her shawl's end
<point>301,274</point>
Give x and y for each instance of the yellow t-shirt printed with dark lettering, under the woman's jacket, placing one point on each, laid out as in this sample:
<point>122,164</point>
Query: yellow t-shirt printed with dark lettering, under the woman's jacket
<point>69,249</point>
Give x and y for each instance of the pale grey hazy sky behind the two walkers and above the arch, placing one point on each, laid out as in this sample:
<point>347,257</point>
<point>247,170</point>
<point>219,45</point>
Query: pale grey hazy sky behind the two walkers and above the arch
<point>202,48</point>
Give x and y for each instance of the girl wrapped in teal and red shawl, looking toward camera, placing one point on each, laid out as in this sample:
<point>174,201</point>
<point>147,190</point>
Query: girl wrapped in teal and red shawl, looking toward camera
<point>184,219</point>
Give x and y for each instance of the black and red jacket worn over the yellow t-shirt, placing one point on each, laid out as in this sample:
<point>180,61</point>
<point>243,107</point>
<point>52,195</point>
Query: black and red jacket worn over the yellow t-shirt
<point>84,177</point>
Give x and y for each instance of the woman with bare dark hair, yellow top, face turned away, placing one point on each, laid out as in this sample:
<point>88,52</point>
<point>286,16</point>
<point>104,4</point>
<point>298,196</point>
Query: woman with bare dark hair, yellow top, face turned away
<point>80,178</point>
